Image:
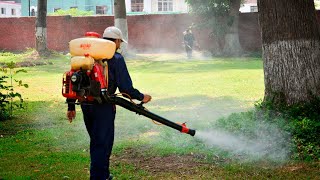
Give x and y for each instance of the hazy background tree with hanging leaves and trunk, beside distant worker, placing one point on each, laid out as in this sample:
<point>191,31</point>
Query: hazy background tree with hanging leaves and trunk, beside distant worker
<point>221,17</point>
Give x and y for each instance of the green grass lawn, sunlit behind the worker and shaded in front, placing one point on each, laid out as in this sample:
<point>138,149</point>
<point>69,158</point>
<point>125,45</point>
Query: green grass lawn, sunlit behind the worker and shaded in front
<point>39,143</point>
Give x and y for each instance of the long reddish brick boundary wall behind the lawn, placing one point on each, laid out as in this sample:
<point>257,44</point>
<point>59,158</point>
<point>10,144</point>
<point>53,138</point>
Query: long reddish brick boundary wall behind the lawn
<point>147,33</point>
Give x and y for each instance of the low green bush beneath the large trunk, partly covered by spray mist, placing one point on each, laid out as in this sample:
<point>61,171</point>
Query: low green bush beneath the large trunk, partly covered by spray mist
<point>294,130</point>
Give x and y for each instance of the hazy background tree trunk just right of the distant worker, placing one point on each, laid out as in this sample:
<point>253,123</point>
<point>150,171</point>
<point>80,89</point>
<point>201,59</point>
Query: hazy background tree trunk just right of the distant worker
<point>231,40</point>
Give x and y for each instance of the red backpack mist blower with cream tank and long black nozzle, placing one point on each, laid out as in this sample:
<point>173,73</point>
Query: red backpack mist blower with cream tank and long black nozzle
<point>87,80</point>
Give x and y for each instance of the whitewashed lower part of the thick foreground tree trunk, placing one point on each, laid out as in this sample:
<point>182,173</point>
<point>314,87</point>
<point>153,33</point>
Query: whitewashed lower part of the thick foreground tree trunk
<point>292,70</point>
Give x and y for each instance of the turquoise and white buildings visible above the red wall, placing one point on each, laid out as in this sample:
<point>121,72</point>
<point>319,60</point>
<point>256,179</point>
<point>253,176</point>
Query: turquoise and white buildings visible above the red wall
<point>105,7</point>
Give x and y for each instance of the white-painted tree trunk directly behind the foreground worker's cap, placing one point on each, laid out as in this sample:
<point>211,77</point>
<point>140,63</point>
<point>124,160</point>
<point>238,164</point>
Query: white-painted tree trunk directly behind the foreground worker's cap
<point>120,21</point>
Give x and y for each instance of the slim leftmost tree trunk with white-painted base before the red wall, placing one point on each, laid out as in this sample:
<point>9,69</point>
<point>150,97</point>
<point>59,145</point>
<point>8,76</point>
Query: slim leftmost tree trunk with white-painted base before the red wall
<point>41,28</point>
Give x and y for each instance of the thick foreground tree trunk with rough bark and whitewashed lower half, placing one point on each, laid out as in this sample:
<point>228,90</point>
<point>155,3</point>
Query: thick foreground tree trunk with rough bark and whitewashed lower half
<point>291,51</point>
